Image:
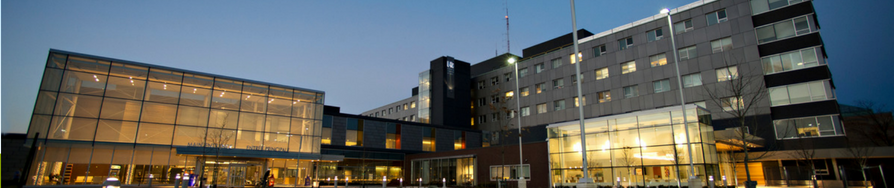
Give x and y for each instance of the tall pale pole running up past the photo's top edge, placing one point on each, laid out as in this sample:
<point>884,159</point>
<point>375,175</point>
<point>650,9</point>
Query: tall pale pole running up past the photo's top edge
<point>586,181</point>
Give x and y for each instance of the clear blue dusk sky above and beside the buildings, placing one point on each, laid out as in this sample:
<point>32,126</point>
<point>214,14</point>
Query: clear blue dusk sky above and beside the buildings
<point>364,54</point>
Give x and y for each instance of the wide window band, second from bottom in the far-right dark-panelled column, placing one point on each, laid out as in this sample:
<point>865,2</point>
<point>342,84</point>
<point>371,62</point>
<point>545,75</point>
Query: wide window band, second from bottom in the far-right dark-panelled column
<point>800,93</point>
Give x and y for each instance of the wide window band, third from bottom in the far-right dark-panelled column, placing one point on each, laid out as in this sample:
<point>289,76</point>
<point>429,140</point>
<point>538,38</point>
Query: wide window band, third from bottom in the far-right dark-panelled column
<point>790,61</point>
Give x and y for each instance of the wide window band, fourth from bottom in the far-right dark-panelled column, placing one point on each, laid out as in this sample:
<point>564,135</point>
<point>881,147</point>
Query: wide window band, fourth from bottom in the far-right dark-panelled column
<point>782,30</point>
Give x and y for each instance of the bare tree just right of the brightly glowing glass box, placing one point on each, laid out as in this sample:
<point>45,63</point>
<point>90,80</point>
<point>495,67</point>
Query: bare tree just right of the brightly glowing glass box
<point>740,97</point>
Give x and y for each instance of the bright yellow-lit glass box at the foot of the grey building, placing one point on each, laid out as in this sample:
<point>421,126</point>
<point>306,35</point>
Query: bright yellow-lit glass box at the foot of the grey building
<point>646,148</point>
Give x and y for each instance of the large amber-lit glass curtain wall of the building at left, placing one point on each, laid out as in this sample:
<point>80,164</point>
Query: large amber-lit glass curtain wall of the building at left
<point>100,118</point>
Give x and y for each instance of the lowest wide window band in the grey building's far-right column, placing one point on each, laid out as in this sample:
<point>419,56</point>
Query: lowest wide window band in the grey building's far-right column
<point>808,127</point>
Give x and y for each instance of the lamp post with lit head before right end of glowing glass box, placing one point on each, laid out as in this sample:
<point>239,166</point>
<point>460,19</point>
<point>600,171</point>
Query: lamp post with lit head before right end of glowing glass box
<point>670,24</point>
